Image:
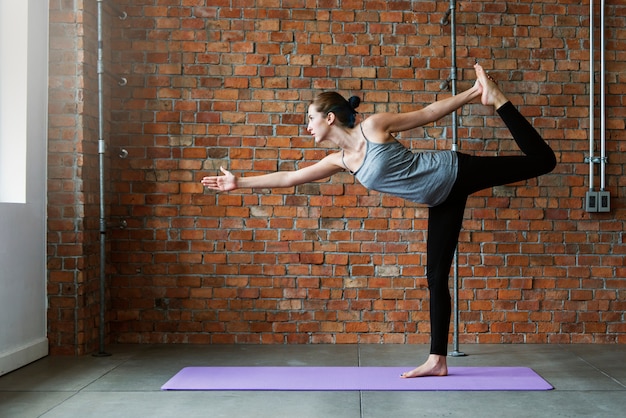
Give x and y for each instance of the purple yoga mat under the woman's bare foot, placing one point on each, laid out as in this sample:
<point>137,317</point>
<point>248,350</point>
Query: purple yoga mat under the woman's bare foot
<point>353,379</point>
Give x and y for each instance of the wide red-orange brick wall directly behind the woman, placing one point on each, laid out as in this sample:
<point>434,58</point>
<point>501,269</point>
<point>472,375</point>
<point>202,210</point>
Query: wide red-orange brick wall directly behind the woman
<point>221,82</point>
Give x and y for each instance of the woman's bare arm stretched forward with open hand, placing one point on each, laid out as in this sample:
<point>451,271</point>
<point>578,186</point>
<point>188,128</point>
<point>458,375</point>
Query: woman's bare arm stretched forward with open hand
<point>320,170</point>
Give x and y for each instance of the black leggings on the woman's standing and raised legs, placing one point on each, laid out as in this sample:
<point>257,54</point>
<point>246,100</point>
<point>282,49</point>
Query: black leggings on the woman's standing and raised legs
<point>444,220</point>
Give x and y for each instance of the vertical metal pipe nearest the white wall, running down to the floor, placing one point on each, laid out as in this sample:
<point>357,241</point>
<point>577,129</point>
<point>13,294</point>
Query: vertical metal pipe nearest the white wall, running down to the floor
<point>101,151</point>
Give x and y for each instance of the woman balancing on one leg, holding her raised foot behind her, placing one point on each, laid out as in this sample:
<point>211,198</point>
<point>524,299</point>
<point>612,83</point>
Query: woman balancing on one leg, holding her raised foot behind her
<point>441,180</point>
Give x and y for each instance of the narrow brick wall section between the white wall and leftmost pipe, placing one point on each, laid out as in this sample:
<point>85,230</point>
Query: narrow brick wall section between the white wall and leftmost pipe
<point>73,179</point>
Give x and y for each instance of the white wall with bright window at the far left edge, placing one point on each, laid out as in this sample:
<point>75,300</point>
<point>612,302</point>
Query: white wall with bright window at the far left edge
<point>23,144</point>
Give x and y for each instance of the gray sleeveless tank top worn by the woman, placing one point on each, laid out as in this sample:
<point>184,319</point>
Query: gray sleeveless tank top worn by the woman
<point>421,177</point>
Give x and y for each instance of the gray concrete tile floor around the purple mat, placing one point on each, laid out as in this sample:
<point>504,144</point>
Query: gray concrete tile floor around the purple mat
<point>589,381</point>
